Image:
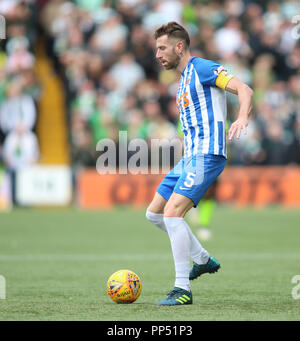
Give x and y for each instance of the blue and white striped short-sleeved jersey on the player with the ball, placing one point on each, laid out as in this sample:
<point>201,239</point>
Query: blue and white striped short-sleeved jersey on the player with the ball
<point>203,108</point>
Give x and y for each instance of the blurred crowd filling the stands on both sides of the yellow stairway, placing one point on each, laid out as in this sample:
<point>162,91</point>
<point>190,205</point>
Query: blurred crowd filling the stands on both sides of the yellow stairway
<point>105,53</point>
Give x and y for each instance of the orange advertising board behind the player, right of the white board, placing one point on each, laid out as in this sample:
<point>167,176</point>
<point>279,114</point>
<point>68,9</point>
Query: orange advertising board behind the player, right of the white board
<point>258,186</point>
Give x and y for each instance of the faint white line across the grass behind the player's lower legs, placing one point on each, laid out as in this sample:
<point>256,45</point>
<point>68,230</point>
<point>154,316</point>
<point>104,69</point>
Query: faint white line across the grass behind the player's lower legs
<point>141,257</point>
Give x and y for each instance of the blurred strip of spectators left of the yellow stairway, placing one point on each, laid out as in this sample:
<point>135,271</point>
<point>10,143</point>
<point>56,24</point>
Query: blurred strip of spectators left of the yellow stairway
<point>19,89</point>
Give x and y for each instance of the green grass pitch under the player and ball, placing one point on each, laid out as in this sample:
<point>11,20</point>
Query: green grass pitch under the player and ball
<point>56,264</point>
